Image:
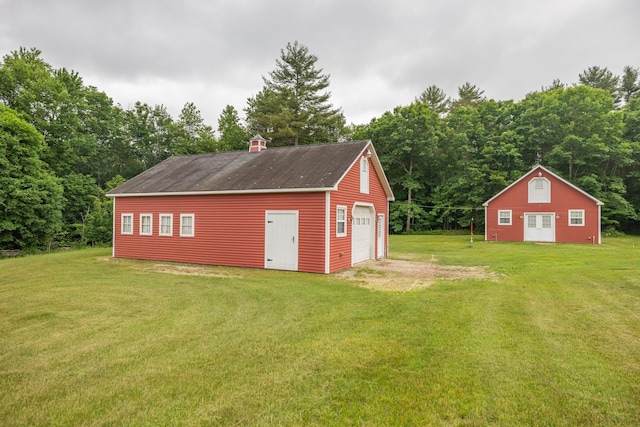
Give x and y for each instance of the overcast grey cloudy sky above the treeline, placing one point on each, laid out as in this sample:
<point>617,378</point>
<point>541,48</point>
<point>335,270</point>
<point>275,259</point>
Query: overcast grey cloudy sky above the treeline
<point>379,54</point>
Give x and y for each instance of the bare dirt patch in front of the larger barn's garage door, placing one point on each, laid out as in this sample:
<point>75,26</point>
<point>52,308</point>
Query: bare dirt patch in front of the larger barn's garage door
<point>403,275</point>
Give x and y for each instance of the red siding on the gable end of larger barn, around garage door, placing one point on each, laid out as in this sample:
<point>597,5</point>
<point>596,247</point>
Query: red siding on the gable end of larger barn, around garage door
<point>349,195</point>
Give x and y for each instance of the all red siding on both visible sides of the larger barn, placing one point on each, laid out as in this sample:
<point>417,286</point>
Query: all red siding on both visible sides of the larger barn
<point>230,229</point>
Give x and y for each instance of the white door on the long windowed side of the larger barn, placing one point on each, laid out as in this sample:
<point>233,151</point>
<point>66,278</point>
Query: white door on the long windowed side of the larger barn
<point>281,240</point>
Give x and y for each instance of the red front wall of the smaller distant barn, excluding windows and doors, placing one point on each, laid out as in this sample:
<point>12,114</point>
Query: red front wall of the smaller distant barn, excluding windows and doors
<point>563,198</point>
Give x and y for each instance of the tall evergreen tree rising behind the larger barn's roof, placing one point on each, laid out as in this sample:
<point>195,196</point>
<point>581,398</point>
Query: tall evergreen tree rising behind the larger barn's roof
<point>293,107</point>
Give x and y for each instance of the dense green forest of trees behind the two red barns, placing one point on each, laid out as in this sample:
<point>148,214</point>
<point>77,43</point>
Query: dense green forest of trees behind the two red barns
<point>64,144</point>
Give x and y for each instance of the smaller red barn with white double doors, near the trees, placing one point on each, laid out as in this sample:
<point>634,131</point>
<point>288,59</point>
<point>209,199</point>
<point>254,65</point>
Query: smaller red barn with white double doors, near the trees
<point>542,207</point>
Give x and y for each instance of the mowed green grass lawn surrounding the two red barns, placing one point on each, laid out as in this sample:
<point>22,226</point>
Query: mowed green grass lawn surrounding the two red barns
<point>88,340</point>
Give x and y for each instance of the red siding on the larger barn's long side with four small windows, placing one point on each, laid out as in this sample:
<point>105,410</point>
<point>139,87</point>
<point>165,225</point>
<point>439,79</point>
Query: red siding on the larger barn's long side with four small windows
<point>229,229</point>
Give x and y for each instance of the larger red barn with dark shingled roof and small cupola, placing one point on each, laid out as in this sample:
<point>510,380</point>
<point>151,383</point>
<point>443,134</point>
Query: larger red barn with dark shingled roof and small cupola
<point>311,208</point>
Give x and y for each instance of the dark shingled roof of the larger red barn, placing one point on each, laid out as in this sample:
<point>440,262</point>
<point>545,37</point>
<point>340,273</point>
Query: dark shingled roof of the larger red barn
<point>294,168</point>
